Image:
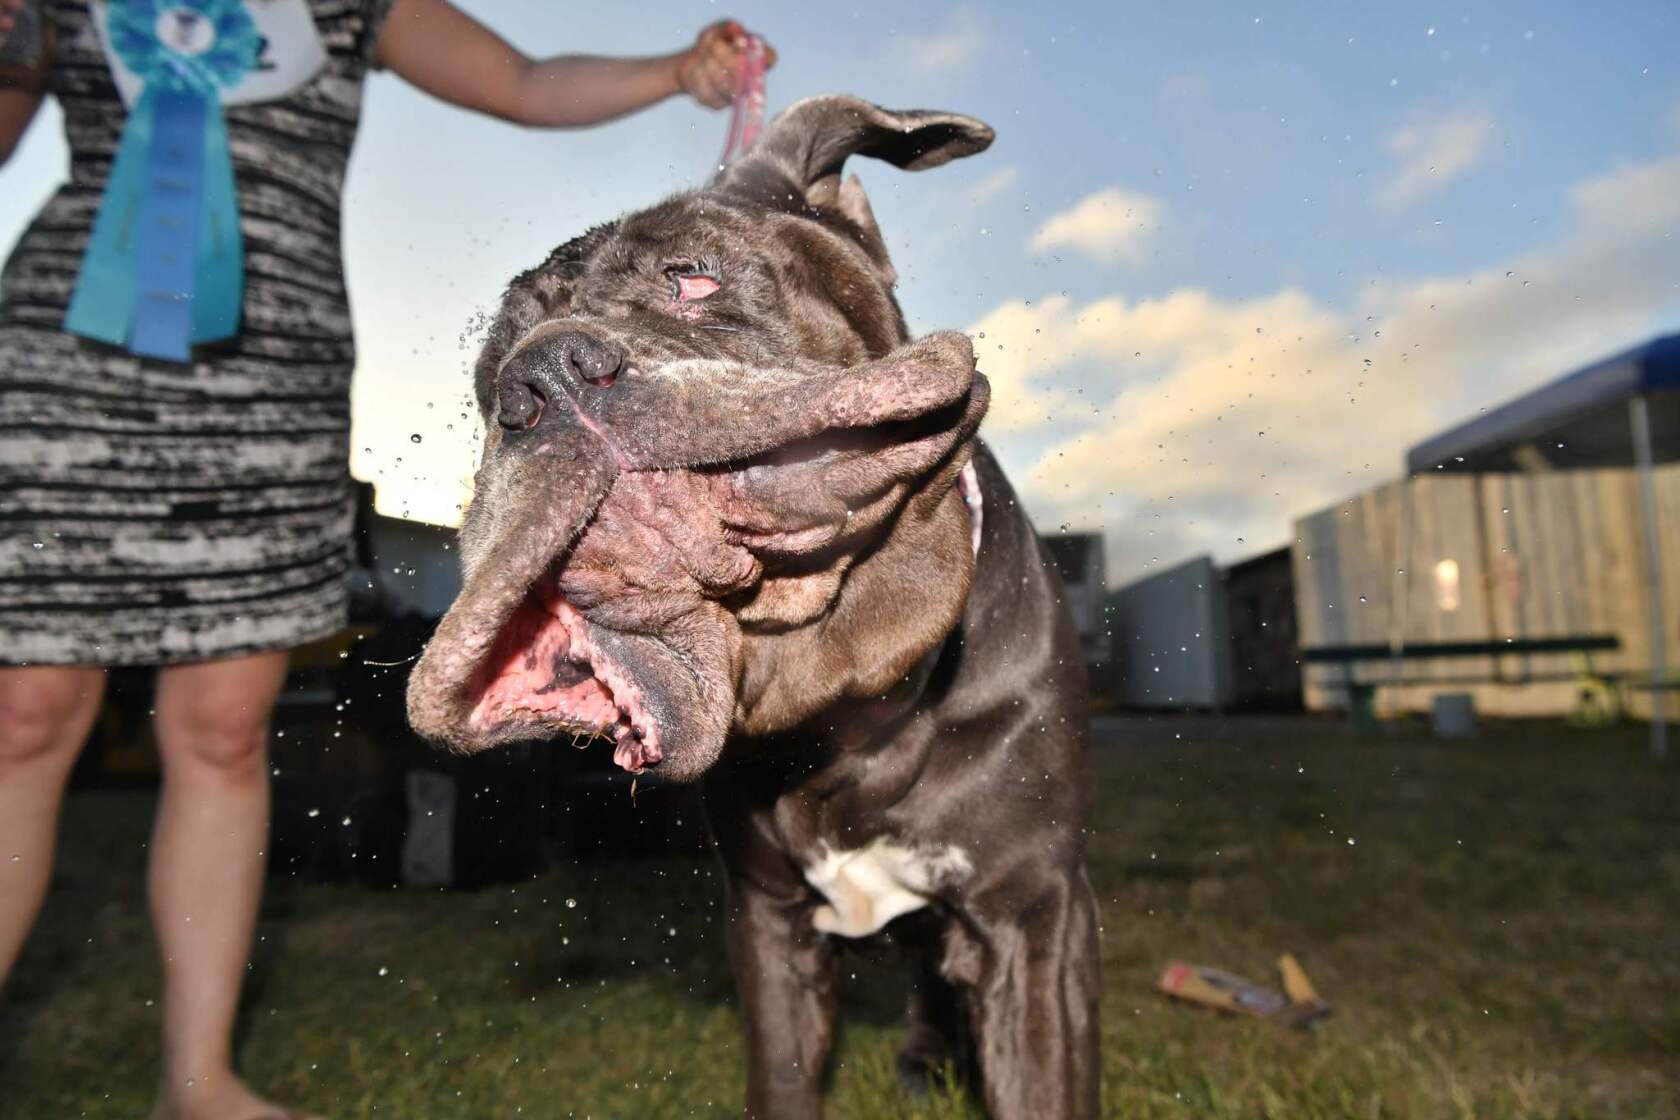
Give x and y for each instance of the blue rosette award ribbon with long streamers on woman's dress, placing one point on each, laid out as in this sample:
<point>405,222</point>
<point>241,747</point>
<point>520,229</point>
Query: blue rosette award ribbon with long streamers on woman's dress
<point>164,266</point>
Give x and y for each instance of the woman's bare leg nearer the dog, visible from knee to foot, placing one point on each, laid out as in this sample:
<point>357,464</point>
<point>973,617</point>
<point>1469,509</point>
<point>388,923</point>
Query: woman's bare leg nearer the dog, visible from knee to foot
<point>207,864</point>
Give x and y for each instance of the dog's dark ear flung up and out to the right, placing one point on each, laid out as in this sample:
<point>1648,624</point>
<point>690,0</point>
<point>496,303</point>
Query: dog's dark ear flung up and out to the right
<point>809,144</point>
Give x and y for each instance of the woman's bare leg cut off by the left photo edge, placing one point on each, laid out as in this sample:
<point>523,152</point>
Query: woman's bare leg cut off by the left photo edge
<point>45,720</point>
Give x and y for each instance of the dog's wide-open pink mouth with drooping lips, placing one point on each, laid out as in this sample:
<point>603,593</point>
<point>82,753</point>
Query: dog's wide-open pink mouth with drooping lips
<point>545,669</point>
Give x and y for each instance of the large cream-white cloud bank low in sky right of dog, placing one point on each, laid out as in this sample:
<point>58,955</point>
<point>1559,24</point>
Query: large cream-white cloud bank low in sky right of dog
<point>1192,422</point>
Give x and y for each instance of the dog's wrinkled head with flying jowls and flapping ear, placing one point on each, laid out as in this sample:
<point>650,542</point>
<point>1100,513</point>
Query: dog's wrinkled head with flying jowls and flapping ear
<point>711,454</point>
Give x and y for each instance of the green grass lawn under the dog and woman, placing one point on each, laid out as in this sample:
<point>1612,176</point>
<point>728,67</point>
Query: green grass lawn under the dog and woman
<point>1496,923</point>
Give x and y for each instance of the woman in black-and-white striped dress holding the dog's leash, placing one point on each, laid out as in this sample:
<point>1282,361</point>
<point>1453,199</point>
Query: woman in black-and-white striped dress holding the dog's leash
<point>197,516</point>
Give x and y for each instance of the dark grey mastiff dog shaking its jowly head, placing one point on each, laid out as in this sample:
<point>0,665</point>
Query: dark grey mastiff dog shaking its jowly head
<point>735,521</point>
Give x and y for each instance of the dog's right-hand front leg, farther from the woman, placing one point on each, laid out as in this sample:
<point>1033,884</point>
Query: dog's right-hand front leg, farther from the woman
<point>1036,1010</point>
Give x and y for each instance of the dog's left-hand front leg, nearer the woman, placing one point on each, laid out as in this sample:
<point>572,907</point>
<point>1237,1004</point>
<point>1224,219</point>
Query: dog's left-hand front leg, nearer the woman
<point>785,973</point>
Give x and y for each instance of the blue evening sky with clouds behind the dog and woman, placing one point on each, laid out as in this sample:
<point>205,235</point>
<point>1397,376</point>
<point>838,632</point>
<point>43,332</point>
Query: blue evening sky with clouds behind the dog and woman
<point>1224,264</point>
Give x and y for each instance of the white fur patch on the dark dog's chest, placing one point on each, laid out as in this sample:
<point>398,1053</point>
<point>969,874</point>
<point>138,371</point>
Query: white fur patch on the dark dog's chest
<point>868,887</point>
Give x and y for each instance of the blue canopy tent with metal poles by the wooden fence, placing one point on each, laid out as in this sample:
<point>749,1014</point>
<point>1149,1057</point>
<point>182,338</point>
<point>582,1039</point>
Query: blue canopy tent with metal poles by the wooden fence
<point>1622,412</point>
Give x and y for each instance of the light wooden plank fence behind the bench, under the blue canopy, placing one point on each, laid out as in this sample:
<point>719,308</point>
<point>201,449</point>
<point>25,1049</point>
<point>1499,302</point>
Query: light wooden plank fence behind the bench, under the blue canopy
<point>1493,557</point>
